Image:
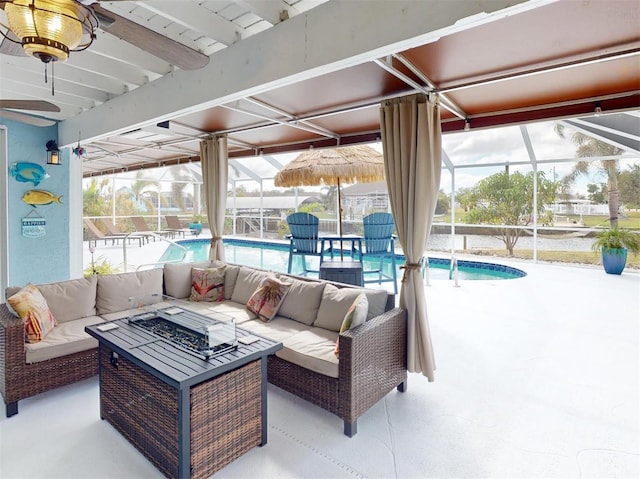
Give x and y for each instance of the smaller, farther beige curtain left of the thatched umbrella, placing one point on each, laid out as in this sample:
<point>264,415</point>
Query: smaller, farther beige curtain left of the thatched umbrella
<point>215,173</point>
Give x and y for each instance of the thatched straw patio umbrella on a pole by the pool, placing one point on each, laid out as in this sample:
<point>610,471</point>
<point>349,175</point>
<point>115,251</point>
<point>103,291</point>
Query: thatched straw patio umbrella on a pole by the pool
<point>350,164</point>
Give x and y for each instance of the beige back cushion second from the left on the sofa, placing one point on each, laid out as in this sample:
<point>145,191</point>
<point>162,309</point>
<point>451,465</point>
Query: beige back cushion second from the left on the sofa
<point>114,290</point>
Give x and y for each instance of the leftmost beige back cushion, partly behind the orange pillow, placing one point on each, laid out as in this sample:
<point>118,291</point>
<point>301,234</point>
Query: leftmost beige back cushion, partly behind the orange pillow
<point>67,300</point>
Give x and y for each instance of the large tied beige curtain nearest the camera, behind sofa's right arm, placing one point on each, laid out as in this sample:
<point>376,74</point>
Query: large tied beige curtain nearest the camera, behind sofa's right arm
<point>411,138</point>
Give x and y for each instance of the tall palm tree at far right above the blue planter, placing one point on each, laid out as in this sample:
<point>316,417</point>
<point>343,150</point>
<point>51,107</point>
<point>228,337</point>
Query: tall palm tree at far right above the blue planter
<point>587,147</point>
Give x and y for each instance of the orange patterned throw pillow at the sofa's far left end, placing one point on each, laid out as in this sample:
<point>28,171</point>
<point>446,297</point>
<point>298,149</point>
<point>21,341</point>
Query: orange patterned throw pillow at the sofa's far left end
<point>34,311</point>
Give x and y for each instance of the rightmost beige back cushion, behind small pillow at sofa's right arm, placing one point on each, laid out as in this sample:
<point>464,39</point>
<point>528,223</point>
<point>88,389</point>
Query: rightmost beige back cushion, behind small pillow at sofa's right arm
<point>336,302</point>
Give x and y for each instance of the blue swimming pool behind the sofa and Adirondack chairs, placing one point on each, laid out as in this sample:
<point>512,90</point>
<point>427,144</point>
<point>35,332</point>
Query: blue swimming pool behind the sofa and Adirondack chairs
<point>274,256</point>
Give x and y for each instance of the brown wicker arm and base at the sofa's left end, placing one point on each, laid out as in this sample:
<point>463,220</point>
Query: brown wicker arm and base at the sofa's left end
<point>19,380</point>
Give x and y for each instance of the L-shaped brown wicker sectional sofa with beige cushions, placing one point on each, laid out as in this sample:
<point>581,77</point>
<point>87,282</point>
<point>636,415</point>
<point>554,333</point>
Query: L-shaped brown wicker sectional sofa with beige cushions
<point>371,362</point>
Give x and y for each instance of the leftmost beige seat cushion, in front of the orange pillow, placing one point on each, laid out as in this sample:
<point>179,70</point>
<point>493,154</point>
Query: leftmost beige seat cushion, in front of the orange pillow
<point>66,338</point>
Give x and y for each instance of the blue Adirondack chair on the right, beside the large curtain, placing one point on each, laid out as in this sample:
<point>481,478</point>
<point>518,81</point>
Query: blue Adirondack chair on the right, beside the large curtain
<point>378,244</point>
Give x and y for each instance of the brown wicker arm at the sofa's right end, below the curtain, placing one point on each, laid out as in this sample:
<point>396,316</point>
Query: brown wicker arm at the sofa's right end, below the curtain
<point>373,361</point>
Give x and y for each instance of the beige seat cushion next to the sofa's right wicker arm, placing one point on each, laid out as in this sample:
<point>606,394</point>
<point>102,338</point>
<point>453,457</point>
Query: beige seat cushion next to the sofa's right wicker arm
<point>313,349</point>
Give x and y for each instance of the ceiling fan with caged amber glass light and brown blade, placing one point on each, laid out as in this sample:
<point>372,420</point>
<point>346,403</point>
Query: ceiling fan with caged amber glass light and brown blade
<point>86,16</point>
